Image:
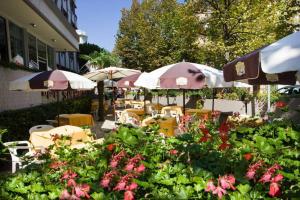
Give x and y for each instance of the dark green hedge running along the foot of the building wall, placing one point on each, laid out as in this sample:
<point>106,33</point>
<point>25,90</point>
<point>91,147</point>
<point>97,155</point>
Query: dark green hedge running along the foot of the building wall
<point>18,122</point>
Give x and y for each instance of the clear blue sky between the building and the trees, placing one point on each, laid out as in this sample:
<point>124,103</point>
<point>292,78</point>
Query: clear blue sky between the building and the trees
<point>100,20</point>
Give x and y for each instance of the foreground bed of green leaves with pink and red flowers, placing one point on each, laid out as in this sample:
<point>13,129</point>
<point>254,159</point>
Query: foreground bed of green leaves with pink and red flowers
<point>209,161</point>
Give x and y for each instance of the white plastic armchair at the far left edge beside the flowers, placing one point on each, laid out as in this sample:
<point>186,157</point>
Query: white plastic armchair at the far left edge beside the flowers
<point>13,150</point>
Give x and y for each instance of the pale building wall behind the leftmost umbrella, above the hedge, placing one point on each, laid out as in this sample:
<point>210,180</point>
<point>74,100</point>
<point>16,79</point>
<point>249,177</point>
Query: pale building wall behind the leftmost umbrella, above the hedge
<point>11,100</point>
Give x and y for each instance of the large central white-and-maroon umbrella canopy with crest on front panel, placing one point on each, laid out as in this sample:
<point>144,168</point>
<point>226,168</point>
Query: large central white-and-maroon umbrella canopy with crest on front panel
<point>184,75</point>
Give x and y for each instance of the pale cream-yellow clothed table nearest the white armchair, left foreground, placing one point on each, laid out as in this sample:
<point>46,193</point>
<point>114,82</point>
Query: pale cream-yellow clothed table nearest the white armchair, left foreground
<point>44,138</point>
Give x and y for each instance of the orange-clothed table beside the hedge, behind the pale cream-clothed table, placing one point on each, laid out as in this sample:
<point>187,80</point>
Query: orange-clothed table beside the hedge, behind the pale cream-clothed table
<point>76,119</point>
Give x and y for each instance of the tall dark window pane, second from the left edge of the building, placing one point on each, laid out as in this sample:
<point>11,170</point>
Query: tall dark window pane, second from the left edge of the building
<point>16,41</point>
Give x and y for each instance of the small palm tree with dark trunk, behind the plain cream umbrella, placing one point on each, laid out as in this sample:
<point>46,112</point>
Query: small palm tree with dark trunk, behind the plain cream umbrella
<point>100,60</point>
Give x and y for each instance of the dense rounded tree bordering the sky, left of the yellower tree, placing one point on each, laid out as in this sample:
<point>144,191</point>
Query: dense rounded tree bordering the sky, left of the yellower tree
<point>154,33</point>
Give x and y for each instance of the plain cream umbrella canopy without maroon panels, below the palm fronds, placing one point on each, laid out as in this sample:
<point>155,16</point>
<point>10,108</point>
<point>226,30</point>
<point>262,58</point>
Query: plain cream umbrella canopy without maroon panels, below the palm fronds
<point>110,73</point>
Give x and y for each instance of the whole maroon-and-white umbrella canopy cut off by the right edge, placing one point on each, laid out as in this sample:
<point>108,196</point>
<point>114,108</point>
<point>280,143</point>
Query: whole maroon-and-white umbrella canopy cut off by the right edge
<point>280,59</point>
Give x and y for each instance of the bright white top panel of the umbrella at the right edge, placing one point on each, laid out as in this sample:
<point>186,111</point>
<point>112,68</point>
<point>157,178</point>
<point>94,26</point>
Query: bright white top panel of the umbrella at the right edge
<point>282,56</point>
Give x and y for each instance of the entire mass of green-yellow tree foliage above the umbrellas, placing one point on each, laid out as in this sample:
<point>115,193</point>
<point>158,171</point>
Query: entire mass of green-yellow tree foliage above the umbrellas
<point>156,33</point>
